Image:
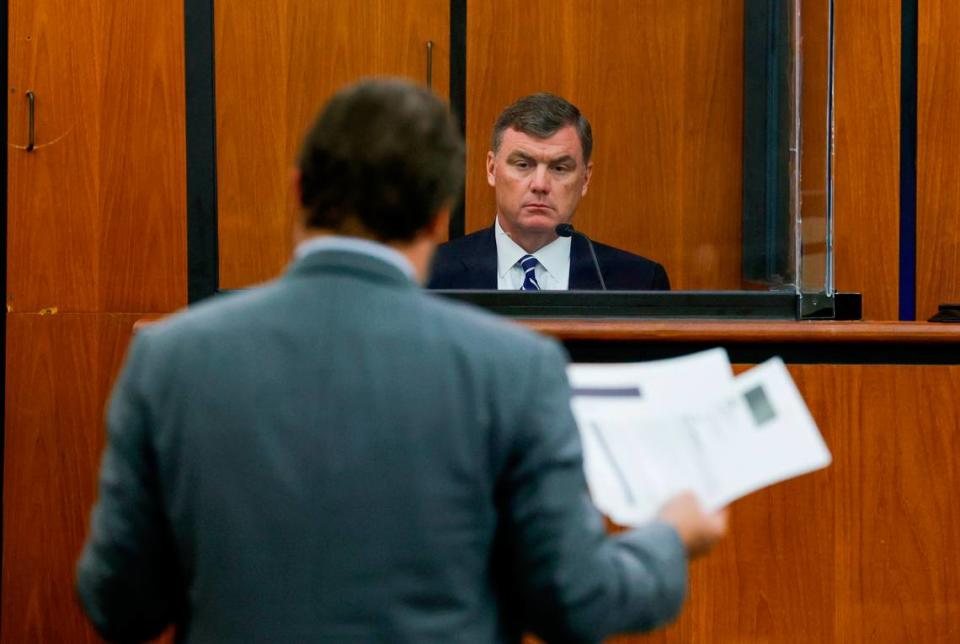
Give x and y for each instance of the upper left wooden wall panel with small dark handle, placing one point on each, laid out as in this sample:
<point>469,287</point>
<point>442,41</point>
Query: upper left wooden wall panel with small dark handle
<point>97,217</point>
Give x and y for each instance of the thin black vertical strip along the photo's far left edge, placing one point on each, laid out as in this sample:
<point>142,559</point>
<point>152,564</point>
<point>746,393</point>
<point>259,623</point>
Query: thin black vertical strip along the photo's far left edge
<point>4,81</point>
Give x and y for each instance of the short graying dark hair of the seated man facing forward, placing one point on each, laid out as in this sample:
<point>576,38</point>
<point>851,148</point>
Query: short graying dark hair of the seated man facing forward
<point>541,115</point>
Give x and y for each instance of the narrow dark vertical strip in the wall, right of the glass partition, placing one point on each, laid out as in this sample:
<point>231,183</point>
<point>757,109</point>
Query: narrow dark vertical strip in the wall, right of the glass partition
<point>908,160</point>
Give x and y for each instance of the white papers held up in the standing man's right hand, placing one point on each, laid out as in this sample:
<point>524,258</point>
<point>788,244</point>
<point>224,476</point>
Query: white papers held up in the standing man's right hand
<point>651,430</point>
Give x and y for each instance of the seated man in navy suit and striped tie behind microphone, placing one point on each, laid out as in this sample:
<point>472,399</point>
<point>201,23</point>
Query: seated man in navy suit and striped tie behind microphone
<point>539,166</point>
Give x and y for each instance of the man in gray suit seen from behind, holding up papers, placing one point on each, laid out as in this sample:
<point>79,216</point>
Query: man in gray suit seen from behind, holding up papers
<point>340,456</point>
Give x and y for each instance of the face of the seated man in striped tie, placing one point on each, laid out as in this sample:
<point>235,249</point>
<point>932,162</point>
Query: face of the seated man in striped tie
<point>538,182</point>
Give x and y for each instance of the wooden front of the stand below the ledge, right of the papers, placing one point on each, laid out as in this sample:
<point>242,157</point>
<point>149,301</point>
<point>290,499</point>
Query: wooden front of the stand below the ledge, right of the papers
<point>861,551</point>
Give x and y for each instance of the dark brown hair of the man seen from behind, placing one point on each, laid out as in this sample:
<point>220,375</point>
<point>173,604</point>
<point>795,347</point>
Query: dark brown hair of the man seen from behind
<point>386,154</point>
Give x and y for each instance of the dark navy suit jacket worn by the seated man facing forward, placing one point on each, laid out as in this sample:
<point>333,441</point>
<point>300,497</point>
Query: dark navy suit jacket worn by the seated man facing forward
<point>470,262</point>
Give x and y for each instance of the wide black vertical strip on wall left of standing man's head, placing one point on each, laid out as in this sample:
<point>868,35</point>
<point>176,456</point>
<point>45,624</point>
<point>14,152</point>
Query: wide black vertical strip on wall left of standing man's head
<point>202,244</point>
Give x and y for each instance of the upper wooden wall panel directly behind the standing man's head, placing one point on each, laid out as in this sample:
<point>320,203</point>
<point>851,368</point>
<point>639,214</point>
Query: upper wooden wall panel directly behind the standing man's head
<point>277,63</point>
